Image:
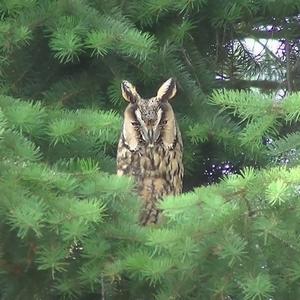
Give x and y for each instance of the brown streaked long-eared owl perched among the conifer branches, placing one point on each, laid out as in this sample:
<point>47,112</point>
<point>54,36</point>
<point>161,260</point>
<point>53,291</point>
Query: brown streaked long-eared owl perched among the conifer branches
<point>150,147</point>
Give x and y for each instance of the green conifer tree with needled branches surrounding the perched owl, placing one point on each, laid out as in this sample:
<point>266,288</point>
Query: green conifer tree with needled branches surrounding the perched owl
<point>69,226</point>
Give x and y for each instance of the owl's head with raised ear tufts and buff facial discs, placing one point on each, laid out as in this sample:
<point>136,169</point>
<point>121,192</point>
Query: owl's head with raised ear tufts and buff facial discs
<point>149,121</point>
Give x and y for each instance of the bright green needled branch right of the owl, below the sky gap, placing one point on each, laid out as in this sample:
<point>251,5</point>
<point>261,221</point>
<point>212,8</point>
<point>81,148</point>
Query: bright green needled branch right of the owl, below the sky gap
<point>261,116</point>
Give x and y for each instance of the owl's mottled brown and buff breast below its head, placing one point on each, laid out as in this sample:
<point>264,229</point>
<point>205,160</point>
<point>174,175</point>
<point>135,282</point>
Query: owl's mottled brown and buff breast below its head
<point>158,171</point>
